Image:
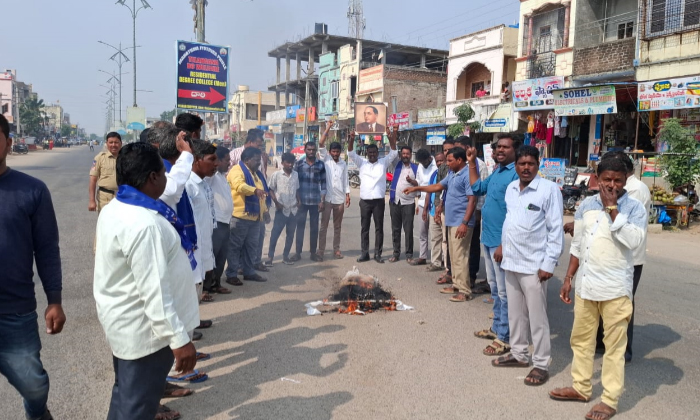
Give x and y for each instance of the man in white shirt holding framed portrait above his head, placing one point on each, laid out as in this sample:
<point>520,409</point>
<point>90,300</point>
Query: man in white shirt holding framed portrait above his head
<point>372,191</point>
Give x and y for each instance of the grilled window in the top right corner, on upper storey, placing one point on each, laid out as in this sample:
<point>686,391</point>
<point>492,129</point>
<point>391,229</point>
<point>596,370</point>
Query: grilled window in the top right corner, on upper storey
<point>669,16</point>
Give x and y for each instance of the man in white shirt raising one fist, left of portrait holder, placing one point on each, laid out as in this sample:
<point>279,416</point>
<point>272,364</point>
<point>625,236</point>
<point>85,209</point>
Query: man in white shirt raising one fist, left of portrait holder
<point>337,192</point>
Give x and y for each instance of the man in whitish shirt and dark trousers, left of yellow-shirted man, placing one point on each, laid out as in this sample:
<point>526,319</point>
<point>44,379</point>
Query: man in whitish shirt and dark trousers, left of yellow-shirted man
<point>223,209</point>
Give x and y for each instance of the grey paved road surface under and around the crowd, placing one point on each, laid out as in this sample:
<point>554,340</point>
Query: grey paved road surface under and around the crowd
<point>423,364</point>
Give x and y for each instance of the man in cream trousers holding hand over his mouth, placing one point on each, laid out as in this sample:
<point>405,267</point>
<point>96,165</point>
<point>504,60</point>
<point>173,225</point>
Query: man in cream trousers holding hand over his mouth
<point>608,228</point>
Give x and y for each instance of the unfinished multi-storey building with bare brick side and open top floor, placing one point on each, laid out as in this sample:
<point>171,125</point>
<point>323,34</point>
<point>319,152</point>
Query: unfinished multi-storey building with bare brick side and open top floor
<point>405,77</point>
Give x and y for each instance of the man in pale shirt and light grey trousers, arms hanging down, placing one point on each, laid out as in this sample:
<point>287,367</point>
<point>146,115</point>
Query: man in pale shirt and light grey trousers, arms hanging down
<point>533,239</point>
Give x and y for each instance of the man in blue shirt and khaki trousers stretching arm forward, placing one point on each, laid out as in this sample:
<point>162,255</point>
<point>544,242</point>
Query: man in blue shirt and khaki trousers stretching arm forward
<point>459,206</point>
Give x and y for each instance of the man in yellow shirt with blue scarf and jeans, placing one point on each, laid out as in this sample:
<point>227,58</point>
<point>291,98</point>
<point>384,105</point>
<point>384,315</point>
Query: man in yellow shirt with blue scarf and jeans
<point>250,208</point>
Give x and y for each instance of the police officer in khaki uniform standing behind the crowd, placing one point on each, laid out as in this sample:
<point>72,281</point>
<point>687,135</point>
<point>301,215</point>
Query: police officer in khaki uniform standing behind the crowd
<point>103,176</point>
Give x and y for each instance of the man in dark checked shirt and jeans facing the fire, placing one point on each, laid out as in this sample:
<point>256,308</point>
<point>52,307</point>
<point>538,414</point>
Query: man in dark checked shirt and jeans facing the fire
<point>312,191</point>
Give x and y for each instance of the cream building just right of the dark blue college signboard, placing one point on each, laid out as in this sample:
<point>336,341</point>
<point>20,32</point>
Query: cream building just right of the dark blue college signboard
<point>248,109</point>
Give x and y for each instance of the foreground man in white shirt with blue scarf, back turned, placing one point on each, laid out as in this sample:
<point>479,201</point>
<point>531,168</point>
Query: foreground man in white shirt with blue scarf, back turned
<point>143,286</point>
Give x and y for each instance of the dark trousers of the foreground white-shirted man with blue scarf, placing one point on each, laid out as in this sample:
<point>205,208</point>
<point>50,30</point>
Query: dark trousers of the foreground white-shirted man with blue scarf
<point>139,385</point>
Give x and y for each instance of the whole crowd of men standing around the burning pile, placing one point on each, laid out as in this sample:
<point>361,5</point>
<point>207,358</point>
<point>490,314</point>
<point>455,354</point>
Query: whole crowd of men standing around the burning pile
<point>180,210</point>
